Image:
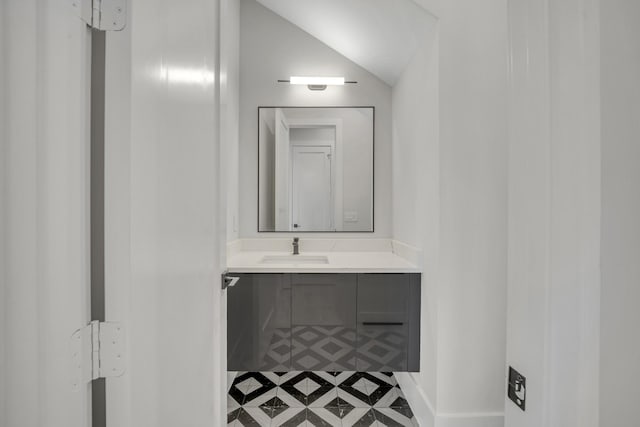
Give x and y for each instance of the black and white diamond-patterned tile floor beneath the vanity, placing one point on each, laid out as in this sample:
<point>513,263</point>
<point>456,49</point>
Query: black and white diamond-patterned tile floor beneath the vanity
<point>327,399</point>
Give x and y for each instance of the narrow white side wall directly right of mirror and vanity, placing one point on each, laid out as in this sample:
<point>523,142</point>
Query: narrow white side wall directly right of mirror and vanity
<point>416,187</point>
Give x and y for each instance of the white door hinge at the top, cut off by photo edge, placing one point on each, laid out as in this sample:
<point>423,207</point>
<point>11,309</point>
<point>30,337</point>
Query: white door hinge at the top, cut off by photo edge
<point>104,15</point>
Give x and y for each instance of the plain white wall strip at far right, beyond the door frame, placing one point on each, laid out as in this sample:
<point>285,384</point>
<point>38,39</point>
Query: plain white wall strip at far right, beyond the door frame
<point>620,294</point>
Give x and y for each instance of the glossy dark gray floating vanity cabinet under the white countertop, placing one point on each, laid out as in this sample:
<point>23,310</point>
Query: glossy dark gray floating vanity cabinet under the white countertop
<point>324,322</point>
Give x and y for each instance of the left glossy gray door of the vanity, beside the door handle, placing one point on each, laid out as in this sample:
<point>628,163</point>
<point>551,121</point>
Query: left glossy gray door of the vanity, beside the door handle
<point>259,323</point>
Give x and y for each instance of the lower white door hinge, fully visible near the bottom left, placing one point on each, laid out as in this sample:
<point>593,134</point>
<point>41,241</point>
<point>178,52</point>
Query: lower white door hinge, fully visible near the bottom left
<point>97,351</point>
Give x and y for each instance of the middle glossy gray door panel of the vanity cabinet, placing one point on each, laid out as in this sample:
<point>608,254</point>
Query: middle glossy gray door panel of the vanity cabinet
<point>323,322</point>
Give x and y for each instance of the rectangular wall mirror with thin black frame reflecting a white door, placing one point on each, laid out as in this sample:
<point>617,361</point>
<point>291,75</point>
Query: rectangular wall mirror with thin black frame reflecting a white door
<point>315,169</point>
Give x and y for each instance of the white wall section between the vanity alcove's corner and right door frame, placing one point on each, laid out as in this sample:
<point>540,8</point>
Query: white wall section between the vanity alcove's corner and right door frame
<point>473,184</point>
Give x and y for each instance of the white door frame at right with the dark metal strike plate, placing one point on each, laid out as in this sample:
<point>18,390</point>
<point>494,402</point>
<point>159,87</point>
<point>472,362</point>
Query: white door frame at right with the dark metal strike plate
<point>554,211</point>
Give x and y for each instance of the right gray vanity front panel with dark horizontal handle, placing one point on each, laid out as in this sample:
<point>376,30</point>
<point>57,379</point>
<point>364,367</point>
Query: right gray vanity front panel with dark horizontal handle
<point>383,322</point>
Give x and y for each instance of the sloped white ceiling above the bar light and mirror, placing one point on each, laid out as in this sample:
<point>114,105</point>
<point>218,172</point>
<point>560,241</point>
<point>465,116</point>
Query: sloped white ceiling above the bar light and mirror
<point>379,35</point>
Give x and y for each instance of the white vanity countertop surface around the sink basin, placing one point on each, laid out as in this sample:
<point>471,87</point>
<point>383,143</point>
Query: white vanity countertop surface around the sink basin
<point>338,262</point>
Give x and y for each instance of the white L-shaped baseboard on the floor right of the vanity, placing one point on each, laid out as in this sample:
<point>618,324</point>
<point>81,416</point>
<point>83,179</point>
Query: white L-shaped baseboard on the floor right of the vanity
<point>427,416</point>
